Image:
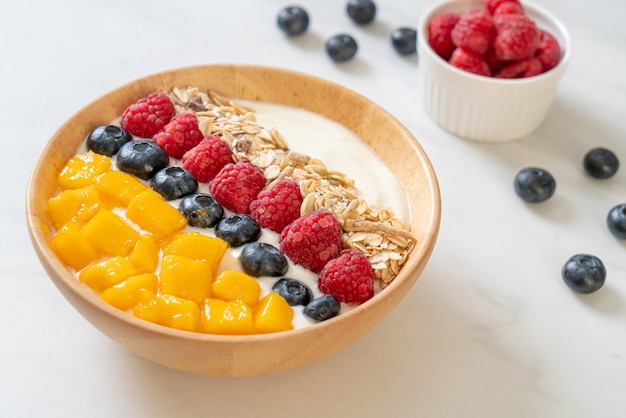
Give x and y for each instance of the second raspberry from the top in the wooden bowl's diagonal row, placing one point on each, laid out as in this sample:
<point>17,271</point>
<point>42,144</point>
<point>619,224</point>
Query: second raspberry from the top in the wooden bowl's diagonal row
<point>180,135</point>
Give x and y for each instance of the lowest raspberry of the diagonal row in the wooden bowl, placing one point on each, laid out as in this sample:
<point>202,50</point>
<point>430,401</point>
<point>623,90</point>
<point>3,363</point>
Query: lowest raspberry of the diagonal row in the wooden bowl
<point>349,277</point>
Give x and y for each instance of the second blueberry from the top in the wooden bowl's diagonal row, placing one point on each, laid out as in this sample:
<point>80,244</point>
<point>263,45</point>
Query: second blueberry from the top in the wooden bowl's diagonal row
<point>142,158</point>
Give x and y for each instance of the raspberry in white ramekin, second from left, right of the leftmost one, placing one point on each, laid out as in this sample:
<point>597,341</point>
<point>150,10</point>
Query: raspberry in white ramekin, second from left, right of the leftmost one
<point>474,31</point>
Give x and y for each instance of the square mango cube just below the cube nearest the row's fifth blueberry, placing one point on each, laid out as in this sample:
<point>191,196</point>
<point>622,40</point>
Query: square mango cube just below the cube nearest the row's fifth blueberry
<point>186,278</point>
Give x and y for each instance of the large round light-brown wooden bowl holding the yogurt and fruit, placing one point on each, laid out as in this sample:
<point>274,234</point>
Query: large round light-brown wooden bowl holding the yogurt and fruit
<point>255,354</point>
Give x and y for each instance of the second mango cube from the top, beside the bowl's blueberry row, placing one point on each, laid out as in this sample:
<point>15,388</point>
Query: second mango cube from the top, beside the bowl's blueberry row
<point>117,188</point>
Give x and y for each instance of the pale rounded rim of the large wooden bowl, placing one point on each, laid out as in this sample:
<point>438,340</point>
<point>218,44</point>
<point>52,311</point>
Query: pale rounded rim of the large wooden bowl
<point>37,230</point>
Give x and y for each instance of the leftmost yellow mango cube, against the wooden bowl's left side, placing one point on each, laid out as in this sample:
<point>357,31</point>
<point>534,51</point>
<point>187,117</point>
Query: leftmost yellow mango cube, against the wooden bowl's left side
<point>77,205</point>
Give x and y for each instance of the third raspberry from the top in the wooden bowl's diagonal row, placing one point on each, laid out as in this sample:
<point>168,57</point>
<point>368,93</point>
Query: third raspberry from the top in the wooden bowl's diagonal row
<point>207,158</point>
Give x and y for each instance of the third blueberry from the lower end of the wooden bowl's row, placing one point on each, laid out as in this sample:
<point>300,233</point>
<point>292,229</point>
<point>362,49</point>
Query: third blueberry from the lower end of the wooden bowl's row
<point>262,259</point>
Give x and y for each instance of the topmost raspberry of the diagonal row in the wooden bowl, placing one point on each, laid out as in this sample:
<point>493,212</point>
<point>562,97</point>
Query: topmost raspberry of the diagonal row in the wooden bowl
<point>148,115</point>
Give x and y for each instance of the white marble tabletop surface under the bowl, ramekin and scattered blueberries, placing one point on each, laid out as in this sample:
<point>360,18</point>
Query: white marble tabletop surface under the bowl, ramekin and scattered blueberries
<point>490,330</point>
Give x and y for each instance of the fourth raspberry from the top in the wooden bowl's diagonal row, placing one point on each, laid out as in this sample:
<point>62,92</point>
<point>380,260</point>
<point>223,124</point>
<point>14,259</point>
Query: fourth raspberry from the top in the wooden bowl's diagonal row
<point>236,185</point>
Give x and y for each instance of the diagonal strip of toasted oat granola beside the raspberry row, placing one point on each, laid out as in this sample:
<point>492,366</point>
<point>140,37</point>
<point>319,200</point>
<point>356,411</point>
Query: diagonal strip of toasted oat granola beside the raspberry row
<point>385,239</point>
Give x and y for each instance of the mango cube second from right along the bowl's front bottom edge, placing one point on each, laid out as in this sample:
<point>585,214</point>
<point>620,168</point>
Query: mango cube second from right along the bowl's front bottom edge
<point>227,318</point>
